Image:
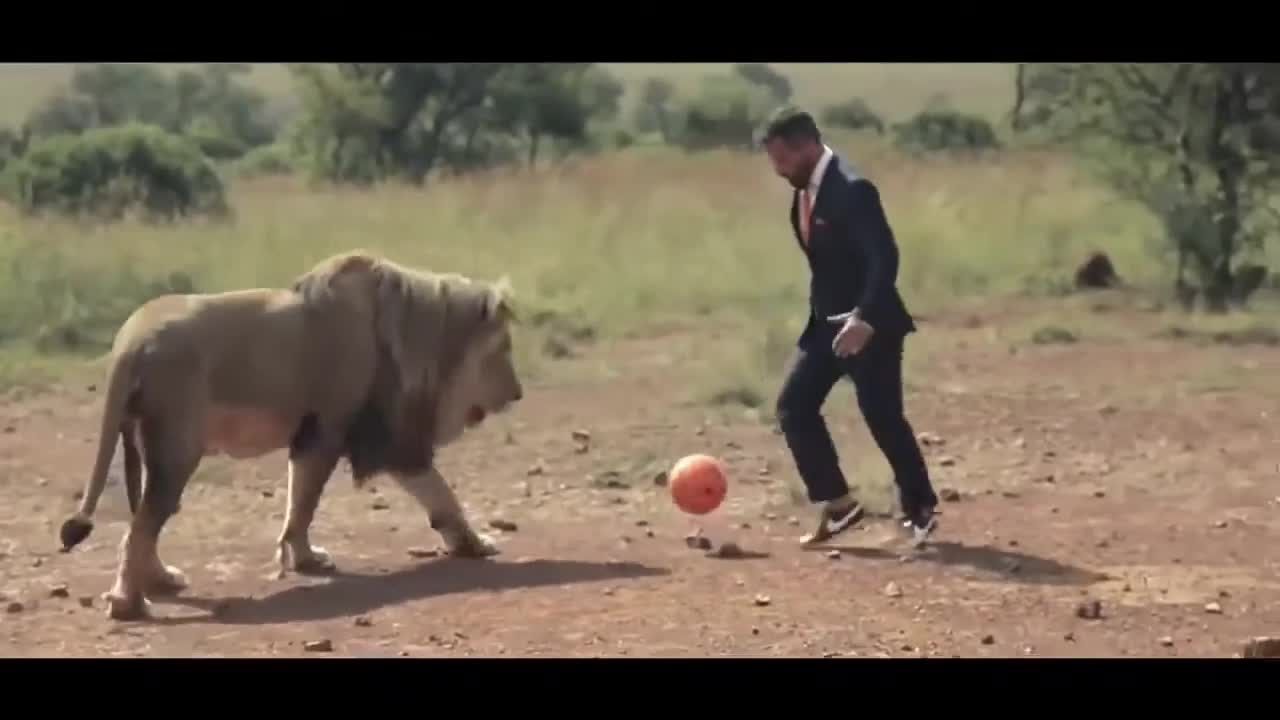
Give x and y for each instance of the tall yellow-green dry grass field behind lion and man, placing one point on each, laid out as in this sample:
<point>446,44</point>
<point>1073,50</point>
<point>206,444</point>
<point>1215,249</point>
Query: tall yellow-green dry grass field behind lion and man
<point>604,247</point>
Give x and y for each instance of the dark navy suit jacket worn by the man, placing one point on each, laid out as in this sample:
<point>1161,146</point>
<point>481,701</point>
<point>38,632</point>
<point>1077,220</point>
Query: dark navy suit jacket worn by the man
<point>853,258</point>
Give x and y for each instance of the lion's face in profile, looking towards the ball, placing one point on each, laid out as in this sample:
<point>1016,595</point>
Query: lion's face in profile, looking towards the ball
<point>486,382</point>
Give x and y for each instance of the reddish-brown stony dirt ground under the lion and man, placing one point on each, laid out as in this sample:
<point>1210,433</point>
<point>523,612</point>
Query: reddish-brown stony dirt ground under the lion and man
<point>1141,475</point>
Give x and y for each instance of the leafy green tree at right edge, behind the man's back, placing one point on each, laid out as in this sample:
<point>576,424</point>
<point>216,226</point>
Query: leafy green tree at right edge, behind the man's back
<point>1197,144</point>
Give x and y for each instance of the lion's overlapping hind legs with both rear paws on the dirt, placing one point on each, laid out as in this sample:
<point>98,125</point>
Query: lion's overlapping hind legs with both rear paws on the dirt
<point>172,452</point>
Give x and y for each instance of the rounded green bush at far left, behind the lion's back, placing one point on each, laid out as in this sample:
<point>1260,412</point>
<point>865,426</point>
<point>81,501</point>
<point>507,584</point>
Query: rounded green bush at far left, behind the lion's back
<point>111,172</point>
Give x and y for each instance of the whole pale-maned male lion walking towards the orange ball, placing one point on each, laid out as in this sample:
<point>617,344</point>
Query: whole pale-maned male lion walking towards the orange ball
<point>362,359</point>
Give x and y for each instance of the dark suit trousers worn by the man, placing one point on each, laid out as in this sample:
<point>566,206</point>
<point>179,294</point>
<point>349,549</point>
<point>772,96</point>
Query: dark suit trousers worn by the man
<point>877,376</point>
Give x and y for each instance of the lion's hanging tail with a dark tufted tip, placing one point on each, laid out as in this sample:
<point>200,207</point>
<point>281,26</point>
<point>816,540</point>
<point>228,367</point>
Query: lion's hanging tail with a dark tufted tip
<point>120,388</point>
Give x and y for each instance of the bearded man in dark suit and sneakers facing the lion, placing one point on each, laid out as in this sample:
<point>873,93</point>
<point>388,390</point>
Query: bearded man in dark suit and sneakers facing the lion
<point>857,329</point>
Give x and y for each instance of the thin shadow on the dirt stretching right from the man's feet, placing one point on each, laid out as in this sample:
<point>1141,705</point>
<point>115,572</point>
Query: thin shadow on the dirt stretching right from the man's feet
<point>1012,567</point>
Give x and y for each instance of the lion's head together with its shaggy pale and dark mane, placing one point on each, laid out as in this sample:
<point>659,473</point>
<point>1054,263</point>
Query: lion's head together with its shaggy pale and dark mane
<point>446,340</point>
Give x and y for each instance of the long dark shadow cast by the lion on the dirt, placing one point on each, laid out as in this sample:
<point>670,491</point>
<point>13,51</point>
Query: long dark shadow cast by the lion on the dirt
<point>358,594</point>
